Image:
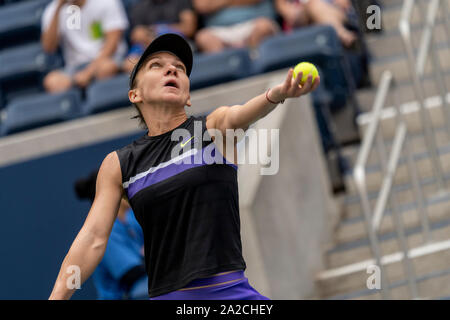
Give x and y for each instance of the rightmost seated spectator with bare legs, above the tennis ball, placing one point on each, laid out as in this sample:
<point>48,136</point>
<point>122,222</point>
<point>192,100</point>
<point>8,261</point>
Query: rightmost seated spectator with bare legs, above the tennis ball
<point>299,13</point>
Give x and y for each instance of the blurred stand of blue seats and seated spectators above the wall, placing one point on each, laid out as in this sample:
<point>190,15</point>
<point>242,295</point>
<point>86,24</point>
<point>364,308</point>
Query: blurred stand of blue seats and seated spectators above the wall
<point>53,47</point>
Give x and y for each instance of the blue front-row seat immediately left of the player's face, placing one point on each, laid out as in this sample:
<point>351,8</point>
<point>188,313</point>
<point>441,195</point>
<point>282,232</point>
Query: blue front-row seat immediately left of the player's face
<point>107,94</point>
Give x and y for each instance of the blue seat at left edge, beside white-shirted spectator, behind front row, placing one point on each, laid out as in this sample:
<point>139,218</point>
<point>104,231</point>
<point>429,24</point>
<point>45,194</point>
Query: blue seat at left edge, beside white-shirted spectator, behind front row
<point>22,68</point>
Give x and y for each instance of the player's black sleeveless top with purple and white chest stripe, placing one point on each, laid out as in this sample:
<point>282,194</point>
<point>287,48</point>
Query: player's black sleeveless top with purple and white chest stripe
<point>186,203</point>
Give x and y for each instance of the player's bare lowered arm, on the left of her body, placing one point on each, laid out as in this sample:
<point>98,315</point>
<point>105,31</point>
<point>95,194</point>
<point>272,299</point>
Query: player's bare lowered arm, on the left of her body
<point>89,246</point>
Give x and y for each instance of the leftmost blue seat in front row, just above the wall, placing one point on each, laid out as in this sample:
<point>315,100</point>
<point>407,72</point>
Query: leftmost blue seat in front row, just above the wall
<point>39,110</point>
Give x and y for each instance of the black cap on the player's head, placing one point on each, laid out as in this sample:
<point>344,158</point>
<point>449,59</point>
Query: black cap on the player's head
<point>168,42</point>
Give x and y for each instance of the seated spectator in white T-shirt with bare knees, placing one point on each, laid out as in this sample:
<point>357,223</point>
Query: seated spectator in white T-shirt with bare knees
<point>93,49</point>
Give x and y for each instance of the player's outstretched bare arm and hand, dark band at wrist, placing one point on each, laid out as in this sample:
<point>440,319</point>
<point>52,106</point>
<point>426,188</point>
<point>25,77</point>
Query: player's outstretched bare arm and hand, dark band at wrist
<point>242,116</point>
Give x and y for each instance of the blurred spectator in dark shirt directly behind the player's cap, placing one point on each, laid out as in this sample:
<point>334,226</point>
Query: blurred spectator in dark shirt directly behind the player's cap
<point>151,18</point>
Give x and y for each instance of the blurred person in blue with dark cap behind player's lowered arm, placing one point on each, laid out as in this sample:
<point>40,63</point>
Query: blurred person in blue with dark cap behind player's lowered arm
<point>121,273</point>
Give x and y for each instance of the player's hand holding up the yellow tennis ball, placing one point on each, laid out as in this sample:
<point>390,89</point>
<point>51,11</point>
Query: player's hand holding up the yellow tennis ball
<point>291,88</point>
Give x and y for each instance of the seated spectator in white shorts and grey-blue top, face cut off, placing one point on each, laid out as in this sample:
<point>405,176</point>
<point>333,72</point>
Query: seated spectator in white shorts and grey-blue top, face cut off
<point>234,23</point>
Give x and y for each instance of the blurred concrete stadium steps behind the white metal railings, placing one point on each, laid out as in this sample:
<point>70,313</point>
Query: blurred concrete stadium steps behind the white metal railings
<point>351,254</point>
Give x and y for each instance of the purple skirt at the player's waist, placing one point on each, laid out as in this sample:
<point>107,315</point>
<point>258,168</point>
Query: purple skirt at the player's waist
<point>226,286</point>
